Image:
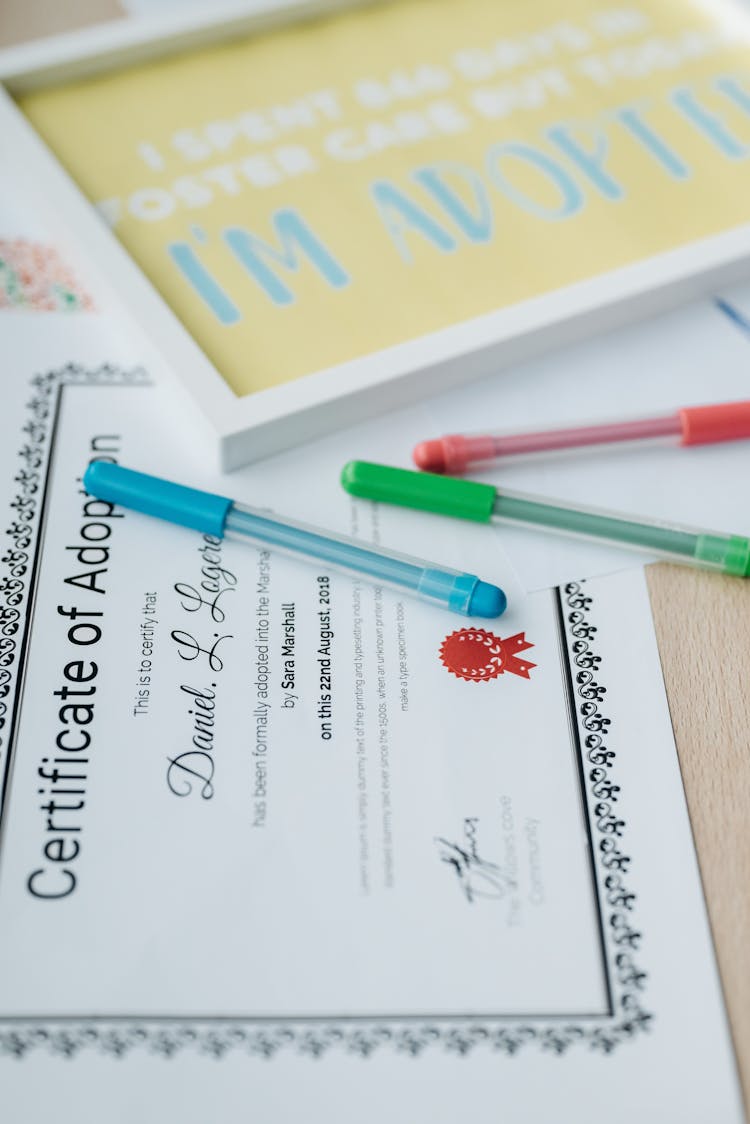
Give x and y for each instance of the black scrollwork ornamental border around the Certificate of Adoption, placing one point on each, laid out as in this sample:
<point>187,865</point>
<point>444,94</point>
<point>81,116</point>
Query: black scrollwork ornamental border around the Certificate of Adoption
<point>265,1038</point>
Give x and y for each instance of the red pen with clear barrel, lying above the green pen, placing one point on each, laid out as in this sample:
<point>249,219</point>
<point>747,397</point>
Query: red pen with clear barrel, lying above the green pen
<point>693,425</point>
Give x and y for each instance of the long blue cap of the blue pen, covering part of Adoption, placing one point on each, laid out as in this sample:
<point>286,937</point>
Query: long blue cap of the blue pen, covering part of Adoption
<point>153,496</point>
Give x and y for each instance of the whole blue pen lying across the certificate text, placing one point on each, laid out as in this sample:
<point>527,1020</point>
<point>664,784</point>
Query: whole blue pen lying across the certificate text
<point>215,515</point>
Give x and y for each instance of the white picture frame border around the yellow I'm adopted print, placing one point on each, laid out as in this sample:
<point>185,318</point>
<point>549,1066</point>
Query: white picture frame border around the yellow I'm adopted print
<point>247,429</point>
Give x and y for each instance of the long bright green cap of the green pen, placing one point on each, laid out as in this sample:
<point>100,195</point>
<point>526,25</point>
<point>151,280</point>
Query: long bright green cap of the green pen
<point>423,491</point>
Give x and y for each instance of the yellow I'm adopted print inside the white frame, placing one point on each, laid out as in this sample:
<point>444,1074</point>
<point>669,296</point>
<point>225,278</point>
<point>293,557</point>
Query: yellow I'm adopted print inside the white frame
<point>326,191</point>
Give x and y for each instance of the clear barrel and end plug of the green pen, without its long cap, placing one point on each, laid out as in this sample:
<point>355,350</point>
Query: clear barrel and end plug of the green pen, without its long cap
<point>706,549</point>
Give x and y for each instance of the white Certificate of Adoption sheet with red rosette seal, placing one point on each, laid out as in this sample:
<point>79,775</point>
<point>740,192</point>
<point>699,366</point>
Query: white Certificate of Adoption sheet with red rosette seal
<point>278,846</point>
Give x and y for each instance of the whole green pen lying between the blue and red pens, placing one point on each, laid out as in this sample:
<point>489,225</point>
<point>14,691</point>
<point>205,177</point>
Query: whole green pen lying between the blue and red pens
<point>468,500</point>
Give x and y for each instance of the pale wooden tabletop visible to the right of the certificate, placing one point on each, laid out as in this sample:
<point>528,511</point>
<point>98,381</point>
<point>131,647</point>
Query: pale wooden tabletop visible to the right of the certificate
<point>703,630</point>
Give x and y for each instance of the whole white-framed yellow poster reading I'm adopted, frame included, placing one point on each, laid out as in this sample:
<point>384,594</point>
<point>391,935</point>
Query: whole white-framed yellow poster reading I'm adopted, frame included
<point>321,213</point>
